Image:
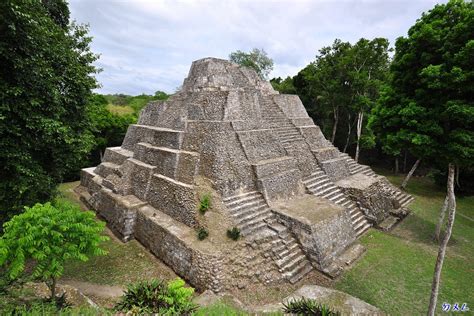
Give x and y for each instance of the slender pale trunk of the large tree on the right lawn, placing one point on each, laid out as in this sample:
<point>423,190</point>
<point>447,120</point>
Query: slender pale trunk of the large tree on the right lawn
<point>444,242</point>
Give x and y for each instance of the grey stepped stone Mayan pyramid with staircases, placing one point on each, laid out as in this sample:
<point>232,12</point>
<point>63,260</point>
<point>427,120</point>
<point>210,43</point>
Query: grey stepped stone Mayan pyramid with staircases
<point>299,203</point>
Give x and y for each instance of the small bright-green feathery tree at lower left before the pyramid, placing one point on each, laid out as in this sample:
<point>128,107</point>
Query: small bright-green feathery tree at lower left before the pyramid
<point>49,235</point>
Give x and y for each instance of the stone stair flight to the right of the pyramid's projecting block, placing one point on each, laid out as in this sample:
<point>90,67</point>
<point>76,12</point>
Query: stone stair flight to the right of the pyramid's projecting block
<point>319,184</point>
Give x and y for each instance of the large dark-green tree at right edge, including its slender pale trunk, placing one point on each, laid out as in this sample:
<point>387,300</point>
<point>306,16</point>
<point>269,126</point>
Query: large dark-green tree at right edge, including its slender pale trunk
<point>433,84</point>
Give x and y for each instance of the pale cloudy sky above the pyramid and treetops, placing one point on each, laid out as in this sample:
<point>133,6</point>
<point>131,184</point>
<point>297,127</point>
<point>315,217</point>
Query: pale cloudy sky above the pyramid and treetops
<point>148,45</point>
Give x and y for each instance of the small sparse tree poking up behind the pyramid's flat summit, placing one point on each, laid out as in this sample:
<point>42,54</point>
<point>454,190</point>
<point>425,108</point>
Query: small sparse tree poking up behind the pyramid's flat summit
<point>256,59</point>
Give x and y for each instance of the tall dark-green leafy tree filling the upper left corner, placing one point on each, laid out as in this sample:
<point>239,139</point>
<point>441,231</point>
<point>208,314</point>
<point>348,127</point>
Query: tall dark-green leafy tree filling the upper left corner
<point>46,77</point>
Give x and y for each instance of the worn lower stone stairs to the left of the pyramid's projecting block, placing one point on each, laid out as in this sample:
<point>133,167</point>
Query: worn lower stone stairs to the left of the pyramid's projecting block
<point>259,224</point>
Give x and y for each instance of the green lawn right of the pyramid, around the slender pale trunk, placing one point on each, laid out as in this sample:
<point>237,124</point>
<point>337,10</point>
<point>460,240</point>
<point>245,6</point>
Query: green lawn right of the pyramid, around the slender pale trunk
<point>396,272</point>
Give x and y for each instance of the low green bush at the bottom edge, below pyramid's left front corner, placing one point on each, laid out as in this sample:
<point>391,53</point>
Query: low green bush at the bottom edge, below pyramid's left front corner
<point>154,296</point>
